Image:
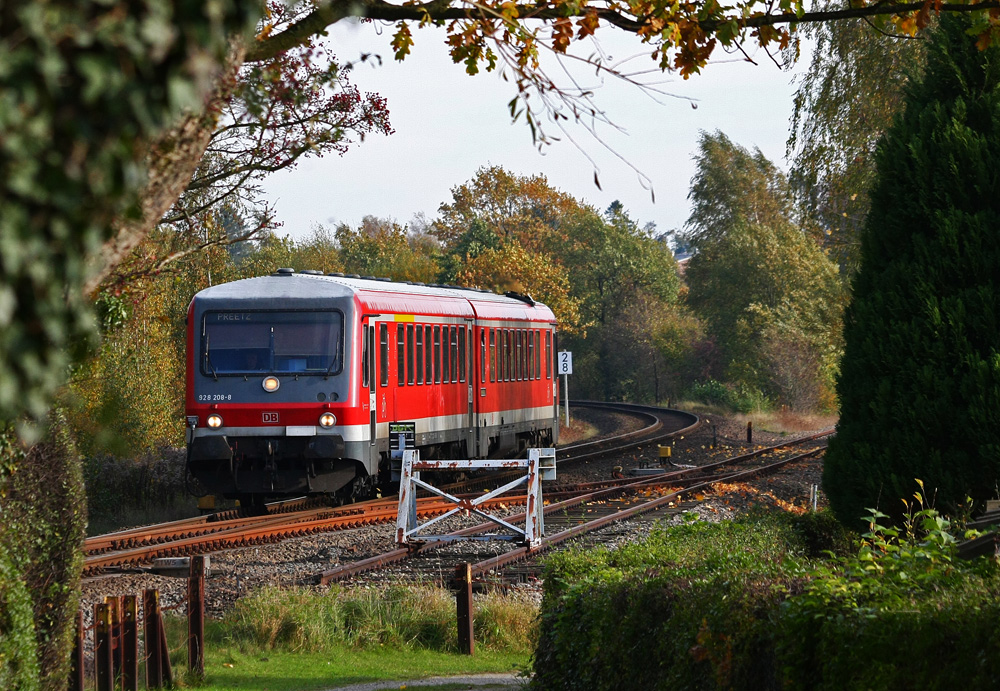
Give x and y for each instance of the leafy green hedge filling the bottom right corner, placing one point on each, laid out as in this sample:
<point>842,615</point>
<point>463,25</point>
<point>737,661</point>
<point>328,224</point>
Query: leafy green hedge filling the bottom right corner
<point>748,605</point>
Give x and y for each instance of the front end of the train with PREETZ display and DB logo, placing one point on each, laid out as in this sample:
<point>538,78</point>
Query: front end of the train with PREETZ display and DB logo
<point>269,394</point>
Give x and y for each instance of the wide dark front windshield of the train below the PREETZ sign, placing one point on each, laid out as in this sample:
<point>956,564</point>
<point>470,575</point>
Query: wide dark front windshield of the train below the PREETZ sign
<point>239,343</point>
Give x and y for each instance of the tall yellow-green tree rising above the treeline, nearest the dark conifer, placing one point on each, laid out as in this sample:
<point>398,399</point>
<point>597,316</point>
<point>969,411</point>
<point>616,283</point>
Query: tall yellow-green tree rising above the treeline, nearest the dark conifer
<point>769,295</point>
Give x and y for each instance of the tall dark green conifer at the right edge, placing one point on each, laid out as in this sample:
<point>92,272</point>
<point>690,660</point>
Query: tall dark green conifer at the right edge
<point>920,379</point>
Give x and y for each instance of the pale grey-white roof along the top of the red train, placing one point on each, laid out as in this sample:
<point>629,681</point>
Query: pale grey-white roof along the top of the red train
<point>314,289</point>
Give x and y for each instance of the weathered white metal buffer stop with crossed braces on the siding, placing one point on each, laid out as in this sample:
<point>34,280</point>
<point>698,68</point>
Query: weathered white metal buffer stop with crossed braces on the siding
<point>540,465</point>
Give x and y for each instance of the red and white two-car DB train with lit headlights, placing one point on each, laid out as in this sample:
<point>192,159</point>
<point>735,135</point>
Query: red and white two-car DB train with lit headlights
<point>299,382</point>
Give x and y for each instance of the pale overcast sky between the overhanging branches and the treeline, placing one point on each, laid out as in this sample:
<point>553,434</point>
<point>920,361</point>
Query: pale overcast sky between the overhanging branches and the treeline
<point>449,124</point>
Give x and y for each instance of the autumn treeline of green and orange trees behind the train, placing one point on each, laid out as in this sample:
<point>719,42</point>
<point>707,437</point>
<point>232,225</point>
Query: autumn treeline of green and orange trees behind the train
<point>754,321</point>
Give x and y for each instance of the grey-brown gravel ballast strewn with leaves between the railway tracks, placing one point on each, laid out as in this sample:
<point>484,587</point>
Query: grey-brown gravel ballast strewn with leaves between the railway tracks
<point>297,561</point>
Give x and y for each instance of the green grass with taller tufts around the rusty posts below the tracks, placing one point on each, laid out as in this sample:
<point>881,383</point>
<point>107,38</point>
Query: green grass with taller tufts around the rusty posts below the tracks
<point>295,638</point>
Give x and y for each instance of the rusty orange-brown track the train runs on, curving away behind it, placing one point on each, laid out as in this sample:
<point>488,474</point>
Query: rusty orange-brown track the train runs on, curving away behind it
<point>135,547</point>
